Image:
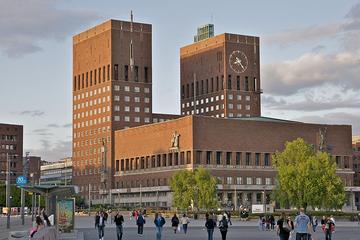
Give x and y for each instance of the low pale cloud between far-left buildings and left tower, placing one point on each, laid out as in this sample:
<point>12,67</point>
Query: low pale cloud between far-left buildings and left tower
<point>52,151</point>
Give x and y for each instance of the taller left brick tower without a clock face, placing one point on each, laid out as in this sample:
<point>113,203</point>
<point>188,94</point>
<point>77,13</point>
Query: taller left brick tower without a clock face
<point>112,90</point>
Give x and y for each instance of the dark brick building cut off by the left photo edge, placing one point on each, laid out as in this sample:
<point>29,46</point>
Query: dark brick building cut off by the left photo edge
<point>11,149</point>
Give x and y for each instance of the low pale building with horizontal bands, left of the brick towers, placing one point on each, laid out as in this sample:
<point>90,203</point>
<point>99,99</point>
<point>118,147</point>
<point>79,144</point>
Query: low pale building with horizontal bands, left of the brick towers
<point>57,173</point>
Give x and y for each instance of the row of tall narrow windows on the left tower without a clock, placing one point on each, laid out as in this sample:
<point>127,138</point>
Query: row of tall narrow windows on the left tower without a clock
<point>103,74</point>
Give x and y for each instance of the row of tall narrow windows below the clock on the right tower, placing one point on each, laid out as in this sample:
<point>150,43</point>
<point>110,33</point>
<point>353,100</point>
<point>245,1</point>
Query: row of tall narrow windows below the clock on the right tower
<point>216,84</point>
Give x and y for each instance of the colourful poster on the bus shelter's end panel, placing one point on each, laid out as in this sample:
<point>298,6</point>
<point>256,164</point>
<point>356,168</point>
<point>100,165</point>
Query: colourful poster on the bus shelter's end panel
<point>66,214</point>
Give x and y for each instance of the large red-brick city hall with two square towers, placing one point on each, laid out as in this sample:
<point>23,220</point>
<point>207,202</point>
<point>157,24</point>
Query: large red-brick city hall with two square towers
<point>120,157</point>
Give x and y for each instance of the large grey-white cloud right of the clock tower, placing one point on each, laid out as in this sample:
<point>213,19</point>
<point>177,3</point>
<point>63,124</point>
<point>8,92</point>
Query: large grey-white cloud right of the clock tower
<point>309,70</point>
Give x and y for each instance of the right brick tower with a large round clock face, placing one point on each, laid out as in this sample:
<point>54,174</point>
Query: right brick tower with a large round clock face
<point>224,65</point>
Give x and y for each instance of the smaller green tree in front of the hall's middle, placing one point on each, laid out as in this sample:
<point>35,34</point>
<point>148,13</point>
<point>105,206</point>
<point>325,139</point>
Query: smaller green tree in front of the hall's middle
<point>197,187</point>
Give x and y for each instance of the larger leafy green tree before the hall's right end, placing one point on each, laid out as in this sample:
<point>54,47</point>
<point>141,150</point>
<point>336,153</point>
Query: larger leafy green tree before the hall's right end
<point>307,177</point>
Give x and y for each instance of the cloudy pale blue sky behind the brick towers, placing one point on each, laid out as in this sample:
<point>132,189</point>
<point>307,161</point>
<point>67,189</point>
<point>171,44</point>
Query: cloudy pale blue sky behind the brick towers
<point>310,58</point>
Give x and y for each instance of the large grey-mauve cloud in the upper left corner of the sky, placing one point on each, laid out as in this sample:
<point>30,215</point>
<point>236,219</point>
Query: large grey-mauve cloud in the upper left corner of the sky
<point>24,24</point>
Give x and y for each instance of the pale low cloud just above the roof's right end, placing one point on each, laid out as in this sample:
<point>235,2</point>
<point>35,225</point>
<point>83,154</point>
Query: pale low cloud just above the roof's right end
<point>335,118</point>
